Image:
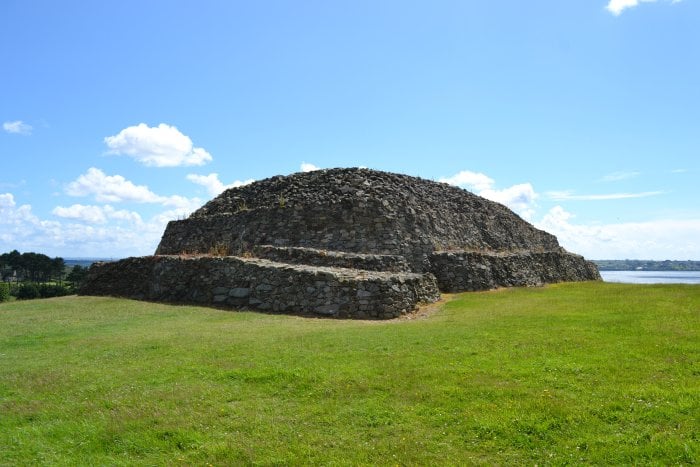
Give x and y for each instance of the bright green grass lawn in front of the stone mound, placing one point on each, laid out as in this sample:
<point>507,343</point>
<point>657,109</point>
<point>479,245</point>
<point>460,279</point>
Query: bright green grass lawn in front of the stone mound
<point>573,373</point>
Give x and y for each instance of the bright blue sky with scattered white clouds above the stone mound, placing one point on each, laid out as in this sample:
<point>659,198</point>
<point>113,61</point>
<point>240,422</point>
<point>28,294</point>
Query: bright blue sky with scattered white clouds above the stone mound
<point>582,116</point>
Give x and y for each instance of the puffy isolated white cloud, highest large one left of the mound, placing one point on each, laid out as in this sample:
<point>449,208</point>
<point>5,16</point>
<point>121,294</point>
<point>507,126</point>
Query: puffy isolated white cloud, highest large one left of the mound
<point>161,146</point>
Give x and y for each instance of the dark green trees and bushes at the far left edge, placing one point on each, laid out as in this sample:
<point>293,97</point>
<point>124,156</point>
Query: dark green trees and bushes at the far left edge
<point>35,275</point>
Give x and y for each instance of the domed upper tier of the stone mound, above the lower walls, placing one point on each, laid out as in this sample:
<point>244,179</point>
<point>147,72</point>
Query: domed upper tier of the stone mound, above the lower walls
<point>354,210</point>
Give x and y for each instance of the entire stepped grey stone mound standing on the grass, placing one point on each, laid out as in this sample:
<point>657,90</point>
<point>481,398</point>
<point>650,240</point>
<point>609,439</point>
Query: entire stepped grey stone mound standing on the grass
<point>341,242</point>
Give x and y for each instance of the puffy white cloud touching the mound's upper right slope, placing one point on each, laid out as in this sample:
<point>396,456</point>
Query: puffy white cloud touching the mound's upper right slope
<point>520,198</point>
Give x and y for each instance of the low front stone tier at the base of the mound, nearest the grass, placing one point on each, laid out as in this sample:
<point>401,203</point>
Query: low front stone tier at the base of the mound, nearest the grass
<point>258,284</point>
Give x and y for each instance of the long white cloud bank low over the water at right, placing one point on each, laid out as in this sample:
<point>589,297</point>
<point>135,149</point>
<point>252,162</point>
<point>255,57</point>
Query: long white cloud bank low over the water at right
<point>677,239</point>
